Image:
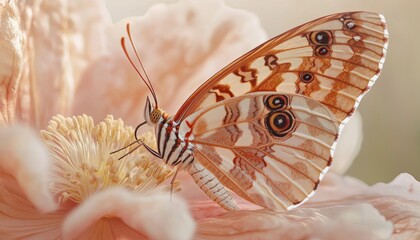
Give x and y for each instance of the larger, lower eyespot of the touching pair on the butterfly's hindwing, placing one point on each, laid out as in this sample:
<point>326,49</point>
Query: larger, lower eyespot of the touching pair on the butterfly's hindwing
<point>280,123</point>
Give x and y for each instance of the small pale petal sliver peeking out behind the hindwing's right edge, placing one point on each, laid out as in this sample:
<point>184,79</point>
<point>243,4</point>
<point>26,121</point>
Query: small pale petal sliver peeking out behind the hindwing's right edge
<point>348,145</point>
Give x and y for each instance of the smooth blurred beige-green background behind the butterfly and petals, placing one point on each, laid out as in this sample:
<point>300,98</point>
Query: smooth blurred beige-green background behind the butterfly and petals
<point>391,111</point>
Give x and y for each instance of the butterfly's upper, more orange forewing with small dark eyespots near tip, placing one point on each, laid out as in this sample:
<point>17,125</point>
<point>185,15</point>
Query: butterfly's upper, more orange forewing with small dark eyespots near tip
<point>334,60</point>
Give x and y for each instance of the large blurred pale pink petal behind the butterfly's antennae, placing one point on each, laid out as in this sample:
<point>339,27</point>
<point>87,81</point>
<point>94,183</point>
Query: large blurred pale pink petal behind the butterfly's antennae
<point>181,46</point>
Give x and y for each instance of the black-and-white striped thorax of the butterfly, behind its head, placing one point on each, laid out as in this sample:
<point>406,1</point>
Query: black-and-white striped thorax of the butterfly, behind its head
<point>173,146</point>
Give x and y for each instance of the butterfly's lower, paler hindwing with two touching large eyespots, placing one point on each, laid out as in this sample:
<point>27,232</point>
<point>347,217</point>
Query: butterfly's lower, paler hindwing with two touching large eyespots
<point>271,149</point>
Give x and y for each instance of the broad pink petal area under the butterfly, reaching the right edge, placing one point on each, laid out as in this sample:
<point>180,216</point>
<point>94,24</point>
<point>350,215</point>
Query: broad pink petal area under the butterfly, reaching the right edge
<point>342,207</point>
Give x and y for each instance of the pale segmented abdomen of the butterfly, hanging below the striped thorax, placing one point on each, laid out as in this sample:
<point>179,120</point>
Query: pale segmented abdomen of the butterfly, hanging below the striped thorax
<point>211,186</point>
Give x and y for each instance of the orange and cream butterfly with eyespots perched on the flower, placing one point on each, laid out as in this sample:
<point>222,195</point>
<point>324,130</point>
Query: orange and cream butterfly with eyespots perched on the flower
<point>265,126</point>
